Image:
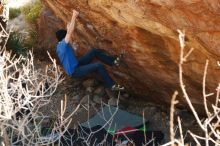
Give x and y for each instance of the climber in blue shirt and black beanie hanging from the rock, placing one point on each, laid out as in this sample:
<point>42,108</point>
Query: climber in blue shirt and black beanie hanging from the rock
<point>80,67</point>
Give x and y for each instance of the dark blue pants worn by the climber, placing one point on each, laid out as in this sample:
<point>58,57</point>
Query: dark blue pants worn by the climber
<point>85,66</point>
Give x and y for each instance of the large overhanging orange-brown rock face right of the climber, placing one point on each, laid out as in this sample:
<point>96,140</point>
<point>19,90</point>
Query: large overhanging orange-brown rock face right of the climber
<point>146,31</point>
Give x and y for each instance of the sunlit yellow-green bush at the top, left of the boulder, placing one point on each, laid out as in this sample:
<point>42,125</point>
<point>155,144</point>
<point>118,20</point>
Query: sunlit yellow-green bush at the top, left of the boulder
<point>32,11</point>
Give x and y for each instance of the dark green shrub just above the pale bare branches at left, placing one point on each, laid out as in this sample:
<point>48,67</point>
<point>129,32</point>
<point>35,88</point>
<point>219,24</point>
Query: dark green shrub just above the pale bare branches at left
<point>16,43</point>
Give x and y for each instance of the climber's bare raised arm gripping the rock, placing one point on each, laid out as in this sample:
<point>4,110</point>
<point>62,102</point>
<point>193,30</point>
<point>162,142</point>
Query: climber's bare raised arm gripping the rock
<point>71,26</point>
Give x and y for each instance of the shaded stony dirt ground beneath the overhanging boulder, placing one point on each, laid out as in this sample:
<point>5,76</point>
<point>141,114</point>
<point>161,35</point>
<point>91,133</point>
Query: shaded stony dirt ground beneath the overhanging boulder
<point>91,96</point>
